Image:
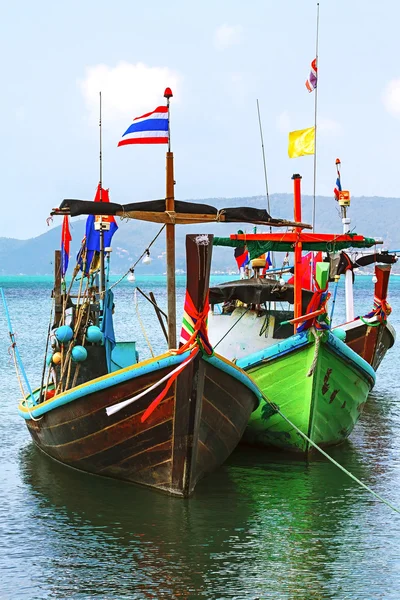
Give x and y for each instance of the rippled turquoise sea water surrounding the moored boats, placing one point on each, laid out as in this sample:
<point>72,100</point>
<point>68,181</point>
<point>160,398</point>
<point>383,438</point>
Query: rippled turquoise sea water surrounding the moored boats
<point>263,526</point>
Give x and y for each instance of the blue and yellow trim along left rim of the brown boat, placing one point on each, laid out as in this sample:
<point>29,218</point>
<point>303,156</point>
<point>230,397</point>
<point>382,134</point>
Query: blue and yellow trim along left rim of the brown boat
<point>105,382</point>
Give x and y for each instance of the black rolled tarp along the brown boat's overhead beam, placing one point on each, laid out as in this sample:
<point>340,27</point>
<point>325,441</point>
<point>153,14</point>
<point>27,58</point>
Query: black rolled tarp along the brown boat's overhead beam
<point>243,214</point>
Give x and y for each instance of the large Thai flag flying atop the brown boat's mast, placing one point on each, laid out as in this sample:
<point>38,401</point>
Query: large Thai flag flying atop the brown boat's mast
<point>151,128</point>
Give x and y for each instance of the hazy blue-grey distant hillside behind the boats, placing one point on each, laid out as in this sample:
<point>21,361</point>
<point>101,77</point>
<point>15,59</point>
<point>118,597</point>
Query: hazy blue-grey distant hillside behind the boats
<point>375,217</point>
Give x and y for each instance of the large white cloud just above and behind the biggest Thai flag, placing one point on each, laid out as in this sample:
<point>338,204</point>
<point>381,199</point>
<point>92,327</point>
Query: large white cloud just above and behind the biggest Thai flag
<point>127,89</point>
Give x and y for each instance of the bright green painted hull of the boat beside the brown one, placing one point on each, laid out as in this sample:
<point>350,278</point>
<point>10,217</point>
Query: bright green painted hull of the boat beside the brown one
<point>325,406</point>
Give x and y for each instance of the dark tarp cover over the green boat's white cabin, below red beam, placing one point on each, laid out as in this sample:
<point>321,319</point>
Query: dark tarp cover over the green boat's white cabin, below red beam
<point>256,291</point>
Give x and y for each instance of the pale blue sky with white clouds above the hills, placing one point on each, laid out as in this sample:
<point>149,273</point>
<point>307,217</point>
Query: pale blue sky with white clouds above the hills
<point>218,57</point>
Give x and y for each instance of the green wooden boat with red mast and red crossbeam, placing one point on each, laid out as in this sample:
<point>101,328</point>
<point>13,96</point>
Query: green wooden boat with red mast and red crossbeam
<point>317,382</point>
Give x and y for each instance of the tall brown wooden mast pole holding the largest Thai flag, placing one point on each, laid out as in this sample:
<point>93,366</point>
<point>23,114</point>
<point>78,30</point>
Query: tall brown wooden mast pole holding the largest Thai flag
<point>170,235</point>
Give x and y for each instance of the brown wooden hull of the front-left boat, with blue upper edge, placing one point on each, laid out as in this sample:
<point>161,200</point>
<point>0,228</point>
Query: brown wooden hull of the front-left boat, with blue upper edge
<point>191,432</point>
